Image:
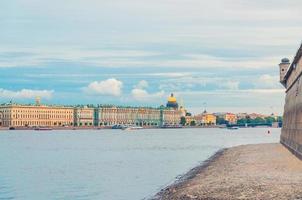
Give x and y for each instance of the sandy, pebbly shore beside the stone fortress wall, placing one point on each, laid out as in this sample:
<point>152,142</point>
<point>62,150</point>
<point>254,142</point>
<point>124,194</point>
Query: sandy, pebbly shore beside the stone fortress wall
<point>262,171</point>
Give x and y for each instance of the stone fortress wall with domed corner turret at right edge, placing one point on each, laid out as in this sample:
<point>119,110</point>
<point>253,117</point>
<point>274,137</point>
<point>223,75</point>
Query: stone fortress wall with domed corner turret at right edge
<point>290,77</point>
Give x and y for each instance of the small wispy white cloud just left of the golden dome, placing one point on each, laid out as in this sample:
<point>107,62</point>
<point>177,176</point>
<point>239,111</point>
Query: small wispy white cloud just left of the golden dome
<point>140,93</point>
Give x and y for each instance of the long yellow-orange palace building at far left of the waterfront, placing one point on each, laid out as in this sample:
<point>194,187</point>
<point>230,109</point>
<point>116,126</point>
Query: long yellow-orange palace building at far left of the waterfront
<point>35,115</point>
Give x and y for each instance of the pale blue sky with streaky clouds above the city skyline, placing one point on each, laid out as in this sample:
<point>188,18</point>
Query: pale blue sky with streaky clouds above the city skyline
<point>219,55</point>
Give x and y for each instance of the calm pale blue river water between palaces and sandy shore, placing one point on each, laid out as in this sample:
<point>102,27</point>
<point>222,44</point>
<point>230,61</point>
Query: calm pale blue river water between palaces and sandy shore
<point>107,164</point>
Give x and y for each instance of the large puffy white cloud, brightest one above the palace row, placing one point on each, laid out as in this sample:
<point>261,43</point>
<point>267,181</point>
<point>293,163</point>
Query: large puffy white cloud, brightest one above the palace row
<point>111,87</point>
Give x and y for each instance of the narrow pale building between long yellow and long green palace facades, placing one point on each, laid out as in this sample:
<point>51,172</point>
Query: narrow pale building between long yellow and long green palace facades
<point>83,116</point>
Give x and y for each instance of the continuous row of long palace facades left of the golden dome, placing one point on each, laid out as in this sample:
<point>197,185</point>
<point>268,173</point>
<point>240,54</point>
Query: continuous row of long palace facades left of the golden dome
<point>15,115</point>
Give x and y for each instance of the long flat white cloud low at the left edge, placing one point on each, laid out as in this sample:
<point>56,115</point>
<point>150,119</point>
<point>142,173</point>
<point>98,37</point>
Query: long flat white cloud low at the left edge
<point>25,94</point>
